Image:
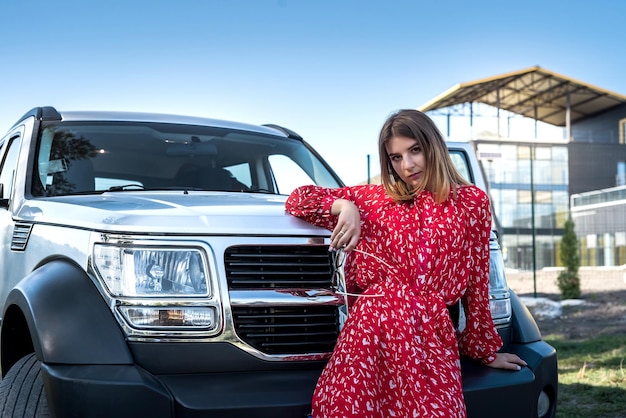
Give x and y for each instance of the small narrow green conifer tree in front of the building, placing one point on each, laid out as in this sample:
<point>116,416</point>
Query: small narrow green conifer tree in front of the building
<point>568,280</point>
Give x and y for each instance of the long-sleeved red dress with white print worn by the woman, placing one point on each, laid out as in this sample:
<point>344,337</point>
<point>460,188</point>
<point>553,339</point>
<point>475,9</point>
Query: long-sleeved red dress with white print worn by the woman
<point>398,353</point>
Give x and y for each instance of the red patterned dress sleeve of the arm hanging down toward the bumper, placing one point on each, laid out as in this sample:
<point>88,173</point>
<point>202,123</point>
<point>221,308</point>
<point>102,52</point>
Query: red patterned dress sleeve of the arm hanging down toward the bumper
<point>479,339</point>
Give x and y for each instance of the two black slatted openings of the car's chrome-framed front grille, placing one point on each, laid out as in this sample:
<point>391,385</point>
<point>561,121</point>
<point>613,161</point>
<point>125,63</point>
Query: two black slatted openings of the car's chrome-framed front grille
<point>288,329</point>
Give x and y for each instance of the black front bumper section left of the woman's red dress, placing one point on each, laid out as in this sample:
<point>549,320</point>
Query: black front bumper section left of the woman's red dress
<point>217,381</point>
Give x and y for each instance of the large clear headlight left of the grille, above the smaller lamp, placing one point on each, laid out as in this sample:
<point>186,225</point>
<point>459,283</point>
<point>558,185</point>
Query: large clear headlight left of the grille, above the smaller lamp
<point>146,271</point>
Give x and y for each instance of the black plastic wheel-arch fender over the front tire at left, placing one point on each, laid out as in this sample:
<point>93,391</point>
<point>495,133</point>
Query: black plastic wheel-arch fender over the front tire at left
<point>67,319</point>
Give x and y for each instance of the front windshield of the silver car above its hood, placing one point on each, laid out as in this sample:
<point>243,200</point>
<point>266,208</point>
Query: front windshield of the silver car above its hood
<point>75,158</point>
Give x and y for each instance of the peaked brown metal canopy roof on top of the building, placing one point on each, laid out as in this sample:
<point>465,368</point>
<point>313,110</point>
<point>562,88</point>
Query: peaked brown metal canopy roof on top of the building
<point>535,93</point>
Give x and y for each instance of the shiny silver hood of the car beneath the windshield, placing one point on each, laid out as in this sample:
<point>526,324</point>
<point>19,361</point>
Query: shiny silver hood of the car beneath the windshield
<point>171,212</point>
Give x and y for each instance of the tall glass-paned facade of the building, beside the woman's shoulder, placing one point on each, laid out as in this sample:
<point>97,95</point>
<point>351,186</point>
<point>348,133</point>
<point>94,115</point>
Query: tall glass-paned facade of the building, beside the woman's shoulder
<point>529,191</point>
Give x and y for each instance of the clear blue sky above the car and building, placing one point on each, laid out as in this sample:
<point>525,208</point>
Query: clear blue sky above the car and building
<point>330,70</point>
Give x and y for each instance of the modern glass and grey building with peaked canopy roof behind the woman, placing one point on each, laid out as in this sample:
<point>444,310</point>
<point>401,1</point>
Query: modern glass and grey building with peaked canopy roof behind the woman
<point>532,179</point>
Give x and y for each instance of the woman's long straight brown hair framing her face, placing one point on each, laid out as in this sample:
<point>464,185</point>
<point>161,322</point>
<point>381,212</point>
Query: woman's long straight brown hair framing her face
<point>440,175</point>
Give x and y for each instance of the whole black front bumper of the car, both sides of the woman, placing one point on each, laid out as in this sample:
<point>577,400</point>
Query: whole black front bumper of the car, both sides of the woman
<point>232,384</point>
